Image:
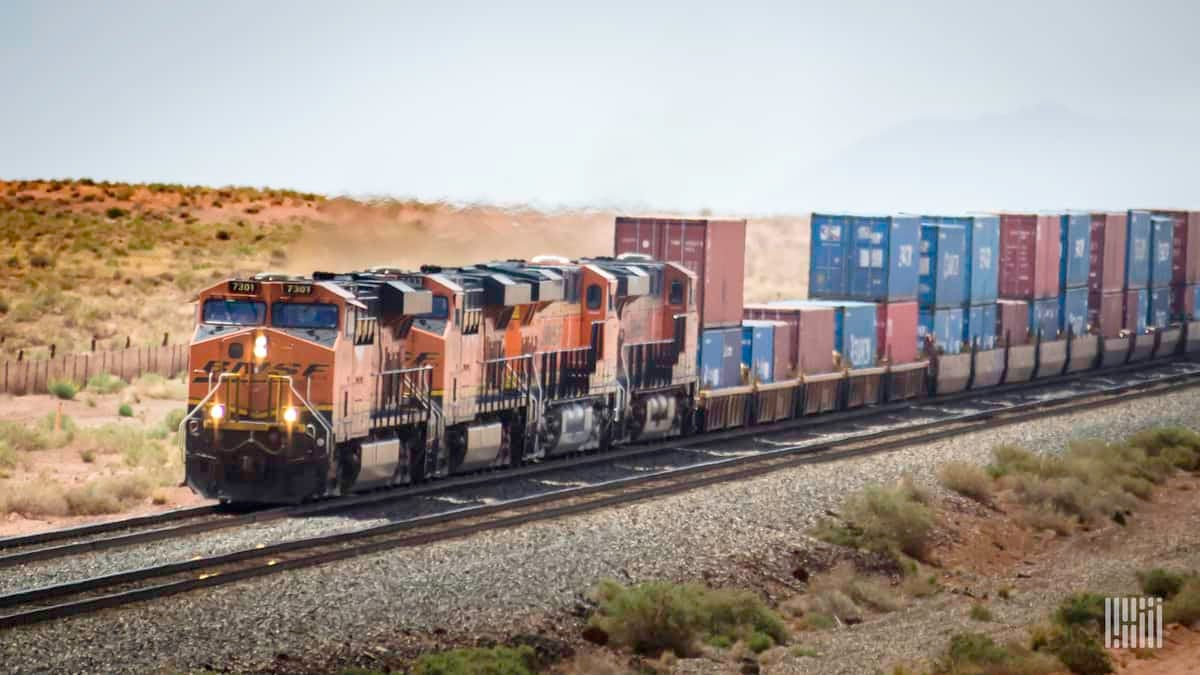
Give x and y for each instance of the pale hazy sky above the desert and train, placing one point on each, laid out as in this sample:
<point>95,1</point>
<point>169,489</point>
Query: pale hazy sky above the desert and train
<point>737,106</point>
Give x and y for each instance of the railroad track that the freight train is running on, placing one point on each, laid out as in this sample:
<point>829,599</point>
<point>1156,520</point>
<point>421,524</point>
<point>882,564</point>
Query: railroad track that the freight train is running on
<point>158,528</point>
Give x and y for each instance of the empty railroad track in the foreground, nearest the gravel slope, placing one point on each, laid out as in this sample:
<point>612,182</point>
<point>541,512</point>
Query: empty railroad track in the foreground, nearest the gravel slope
<point>116,590</point>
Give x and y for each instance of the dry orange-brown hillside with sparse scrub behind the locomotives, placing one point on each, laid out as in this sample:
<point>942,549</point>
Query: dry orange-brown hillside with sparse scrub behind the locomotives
<point>111,261</point>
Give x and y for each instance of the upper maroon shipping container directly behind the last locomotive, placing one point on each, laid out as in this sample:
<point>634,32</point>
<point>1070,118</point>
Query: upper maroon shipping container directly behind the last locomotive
<point>715,249</point>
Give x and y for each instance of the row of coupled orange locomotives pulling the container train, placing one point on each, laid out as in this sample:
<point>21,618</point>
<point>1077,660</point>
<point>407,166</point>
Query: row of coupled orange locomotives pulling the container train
<point>304,389</point>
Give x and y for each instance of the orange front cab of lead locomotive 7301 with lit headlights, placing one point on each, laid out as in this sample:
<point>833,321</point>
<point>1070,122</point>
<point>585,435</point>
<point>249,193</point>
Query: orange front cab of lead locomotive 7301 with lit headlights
<point>261,392</point>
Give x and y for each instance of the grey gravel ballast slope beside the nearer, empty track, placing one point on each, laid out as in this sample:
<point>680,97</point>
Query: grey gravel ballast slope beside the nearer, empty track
<point>501,581</point>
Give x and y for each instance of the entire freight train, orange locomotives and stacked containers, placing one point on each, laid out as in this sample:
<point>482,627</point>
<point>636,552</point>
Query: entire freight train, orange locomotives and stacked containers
<point>314,387</point>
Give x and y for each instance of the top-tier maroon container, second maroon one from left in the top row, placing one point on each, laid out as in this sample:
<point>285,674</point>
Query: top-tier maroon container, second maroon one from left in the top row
<point>1029,256</point>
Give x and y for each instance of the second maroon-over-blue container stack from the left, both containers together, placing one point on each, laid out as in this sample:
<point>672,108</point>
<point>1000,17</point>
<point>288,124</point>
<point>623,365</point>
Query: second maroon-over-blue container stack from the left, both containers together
<point>1030,267</point>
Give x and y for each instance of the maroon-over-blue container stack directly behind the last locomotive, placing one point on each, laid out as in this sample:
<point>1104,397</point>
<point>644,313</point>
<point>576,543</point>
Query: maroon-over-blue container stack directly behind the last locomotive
<point>716,252</point>
